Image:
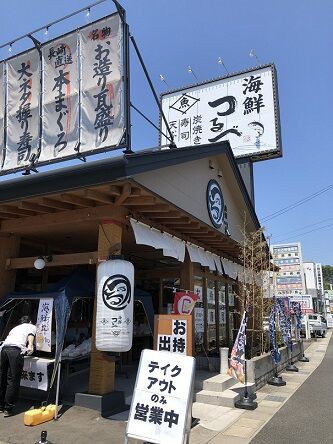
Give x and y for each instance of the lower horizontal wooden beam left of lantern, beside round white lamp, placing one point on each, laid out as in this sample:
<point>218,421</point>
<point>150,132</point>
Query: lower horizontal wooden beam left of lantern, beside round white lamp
<point>57,260</point>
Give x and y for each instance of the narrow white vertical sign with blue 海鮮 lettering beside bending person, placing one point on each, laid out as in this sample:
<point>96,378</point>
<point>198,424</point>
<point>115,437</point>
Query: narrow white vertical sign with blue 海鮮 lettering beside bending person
<point>44,325</point>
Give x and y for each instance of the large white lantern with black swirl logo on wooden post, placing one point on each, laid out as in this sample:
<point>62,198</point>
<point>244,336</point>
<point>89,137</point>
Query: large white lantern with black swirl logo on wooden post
<point>114,316</point>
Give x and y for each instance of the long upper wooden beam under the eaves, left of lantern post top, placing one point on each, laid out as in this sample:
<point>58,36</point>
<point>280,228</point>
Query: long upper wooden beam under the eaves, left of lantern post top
<point>30,224</point>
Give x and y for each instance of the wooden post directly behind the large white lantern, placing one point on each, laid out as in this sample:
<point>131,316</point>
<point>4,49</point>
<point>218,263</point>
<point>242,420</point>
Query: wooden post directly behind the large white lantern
<point>102,366</point>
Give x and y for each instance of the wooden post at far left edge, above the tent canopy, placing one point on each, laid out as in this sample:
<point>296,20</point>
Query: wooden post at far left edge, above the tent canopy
<point>9,248</point>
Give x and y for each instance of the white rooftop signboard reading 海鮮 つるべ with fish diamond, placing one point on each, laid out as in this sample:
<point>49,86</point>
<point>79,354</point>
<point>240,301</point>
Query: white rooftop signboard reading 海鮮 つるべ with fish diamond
<point>241,108</point>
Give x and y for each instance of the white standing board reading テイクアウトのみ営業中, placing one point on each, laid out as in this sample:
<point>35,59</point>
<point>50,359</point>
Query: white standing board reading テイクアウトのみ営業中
<point>162,399</point>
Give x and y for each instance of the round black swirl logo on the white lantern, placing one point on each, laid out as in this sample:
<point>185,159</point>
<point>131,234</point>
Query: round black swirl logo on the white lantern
<point>117,292</point>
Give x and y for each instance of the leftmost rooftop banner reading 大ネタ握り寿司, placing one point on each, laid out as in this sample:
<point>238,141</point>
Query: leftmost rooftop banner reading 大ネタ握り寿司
<point>23,93</point>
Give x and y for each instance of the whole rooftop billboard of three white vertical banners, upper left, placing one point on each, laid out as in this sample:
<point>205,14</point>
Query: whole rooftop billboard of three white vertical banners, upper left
<point>65,100</point>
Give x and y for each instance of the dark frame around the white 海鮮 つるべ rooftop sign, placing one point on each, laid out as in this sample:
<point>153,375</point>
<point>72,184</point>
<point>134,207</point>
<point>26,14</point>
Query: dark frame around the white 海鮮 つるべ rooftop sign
<point>262,155</point>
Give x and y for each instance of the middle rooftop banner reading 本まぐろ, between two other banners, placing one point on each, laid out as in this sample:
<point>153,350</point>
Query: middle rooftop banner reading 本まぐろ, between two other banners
<point>60,98</point>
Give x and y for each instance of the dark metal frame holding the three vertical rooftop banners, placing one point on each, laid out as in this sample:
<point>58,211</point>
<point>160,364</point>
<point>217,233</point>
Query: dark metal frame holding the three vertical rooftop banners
<point>125,99</point>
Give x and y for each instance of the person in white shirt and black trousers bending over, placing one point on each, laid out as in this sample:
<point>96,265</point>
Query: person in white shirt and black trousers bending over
<point>18,342</point>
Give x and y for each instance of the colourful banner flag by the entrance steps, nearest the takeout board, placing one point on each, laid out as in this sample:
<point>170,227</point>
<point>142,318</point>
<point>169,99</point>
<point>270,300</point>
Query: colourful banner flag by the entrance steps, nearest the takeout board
<point>237,357</point>
